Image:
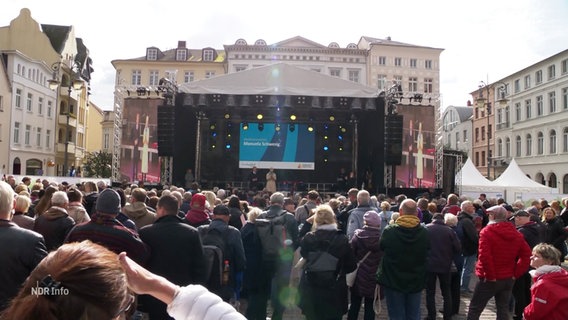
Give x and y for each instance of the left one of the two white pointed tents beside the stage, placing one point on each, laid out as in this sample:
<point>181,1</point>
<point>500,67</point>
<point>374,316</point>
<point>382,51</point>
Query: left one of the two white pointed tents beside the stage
<point>471,182</point>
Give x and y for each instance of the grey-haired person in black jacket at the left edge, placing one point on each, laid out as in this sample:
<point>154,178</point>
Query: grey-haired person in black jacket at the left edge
<point>21,249</point>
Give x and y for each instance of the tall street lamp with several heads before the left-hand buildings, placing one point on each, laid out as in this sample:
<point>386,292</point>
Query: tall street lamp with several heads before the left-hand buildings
<point>75,84</point>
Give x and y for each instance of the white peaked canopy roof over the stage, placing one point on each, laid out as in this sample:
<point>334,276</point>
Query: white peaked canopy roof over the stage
<point>279,79</point>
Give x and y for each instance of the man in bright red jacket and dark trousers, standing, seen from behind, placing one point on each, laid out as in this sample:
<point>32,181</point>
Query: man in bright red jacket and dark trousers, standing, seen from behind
<point>503,256</point>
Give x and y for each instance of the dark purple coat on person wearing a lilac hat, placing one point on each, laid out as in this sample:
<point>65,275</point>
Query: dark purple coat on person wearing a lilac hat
<point>366,240</point>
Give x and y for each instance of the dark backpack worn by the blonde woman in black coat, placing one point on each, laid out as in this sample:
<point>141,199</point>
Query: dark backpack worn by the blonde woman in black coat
<point>321,268</point>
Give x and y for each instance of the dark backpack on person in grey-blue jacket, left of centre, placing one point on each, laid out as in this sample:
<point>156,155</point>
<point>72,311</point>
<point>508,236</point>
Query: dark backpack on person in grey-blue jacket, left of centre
<point>215,253</point>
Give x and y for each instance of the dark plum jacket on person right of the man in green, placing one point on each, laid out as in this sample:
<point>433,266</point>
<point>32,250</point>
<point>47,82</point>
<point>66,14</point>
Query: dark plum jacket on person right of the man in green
<point>444,245</point>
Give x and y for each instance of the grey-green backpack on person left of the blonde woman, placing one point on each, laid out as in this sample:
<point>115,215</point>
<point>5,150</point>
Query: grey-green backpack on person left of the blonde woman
<point>272,234</point>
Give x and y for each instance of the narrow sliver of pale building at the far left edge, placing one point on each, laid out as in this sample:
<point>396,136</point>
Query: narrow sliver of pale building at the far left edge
<point>5,117</point>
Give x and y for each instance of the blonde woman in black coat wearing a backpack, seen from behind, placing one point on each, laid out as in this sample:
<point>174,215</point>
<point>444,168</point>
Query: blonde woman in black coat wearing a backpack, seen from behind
<point>323,291</point>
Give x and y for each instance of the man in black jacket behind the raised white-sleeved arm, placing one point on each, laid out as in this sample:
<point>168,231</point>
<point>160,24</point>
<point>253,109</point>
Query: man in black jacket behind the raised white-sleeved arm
<point>176,253</point>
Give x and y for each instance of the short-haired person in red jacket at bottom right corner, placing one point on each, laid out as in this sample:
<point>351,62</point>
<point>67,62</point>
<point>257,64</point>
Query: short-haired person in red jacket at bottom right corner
<point>550,289</point>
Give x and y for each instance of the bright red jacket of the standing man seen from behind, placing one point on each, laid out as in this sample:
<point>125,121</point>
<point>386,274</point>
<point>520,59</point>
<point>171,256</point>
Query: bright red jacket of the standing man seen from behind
<point>503,252</point>
